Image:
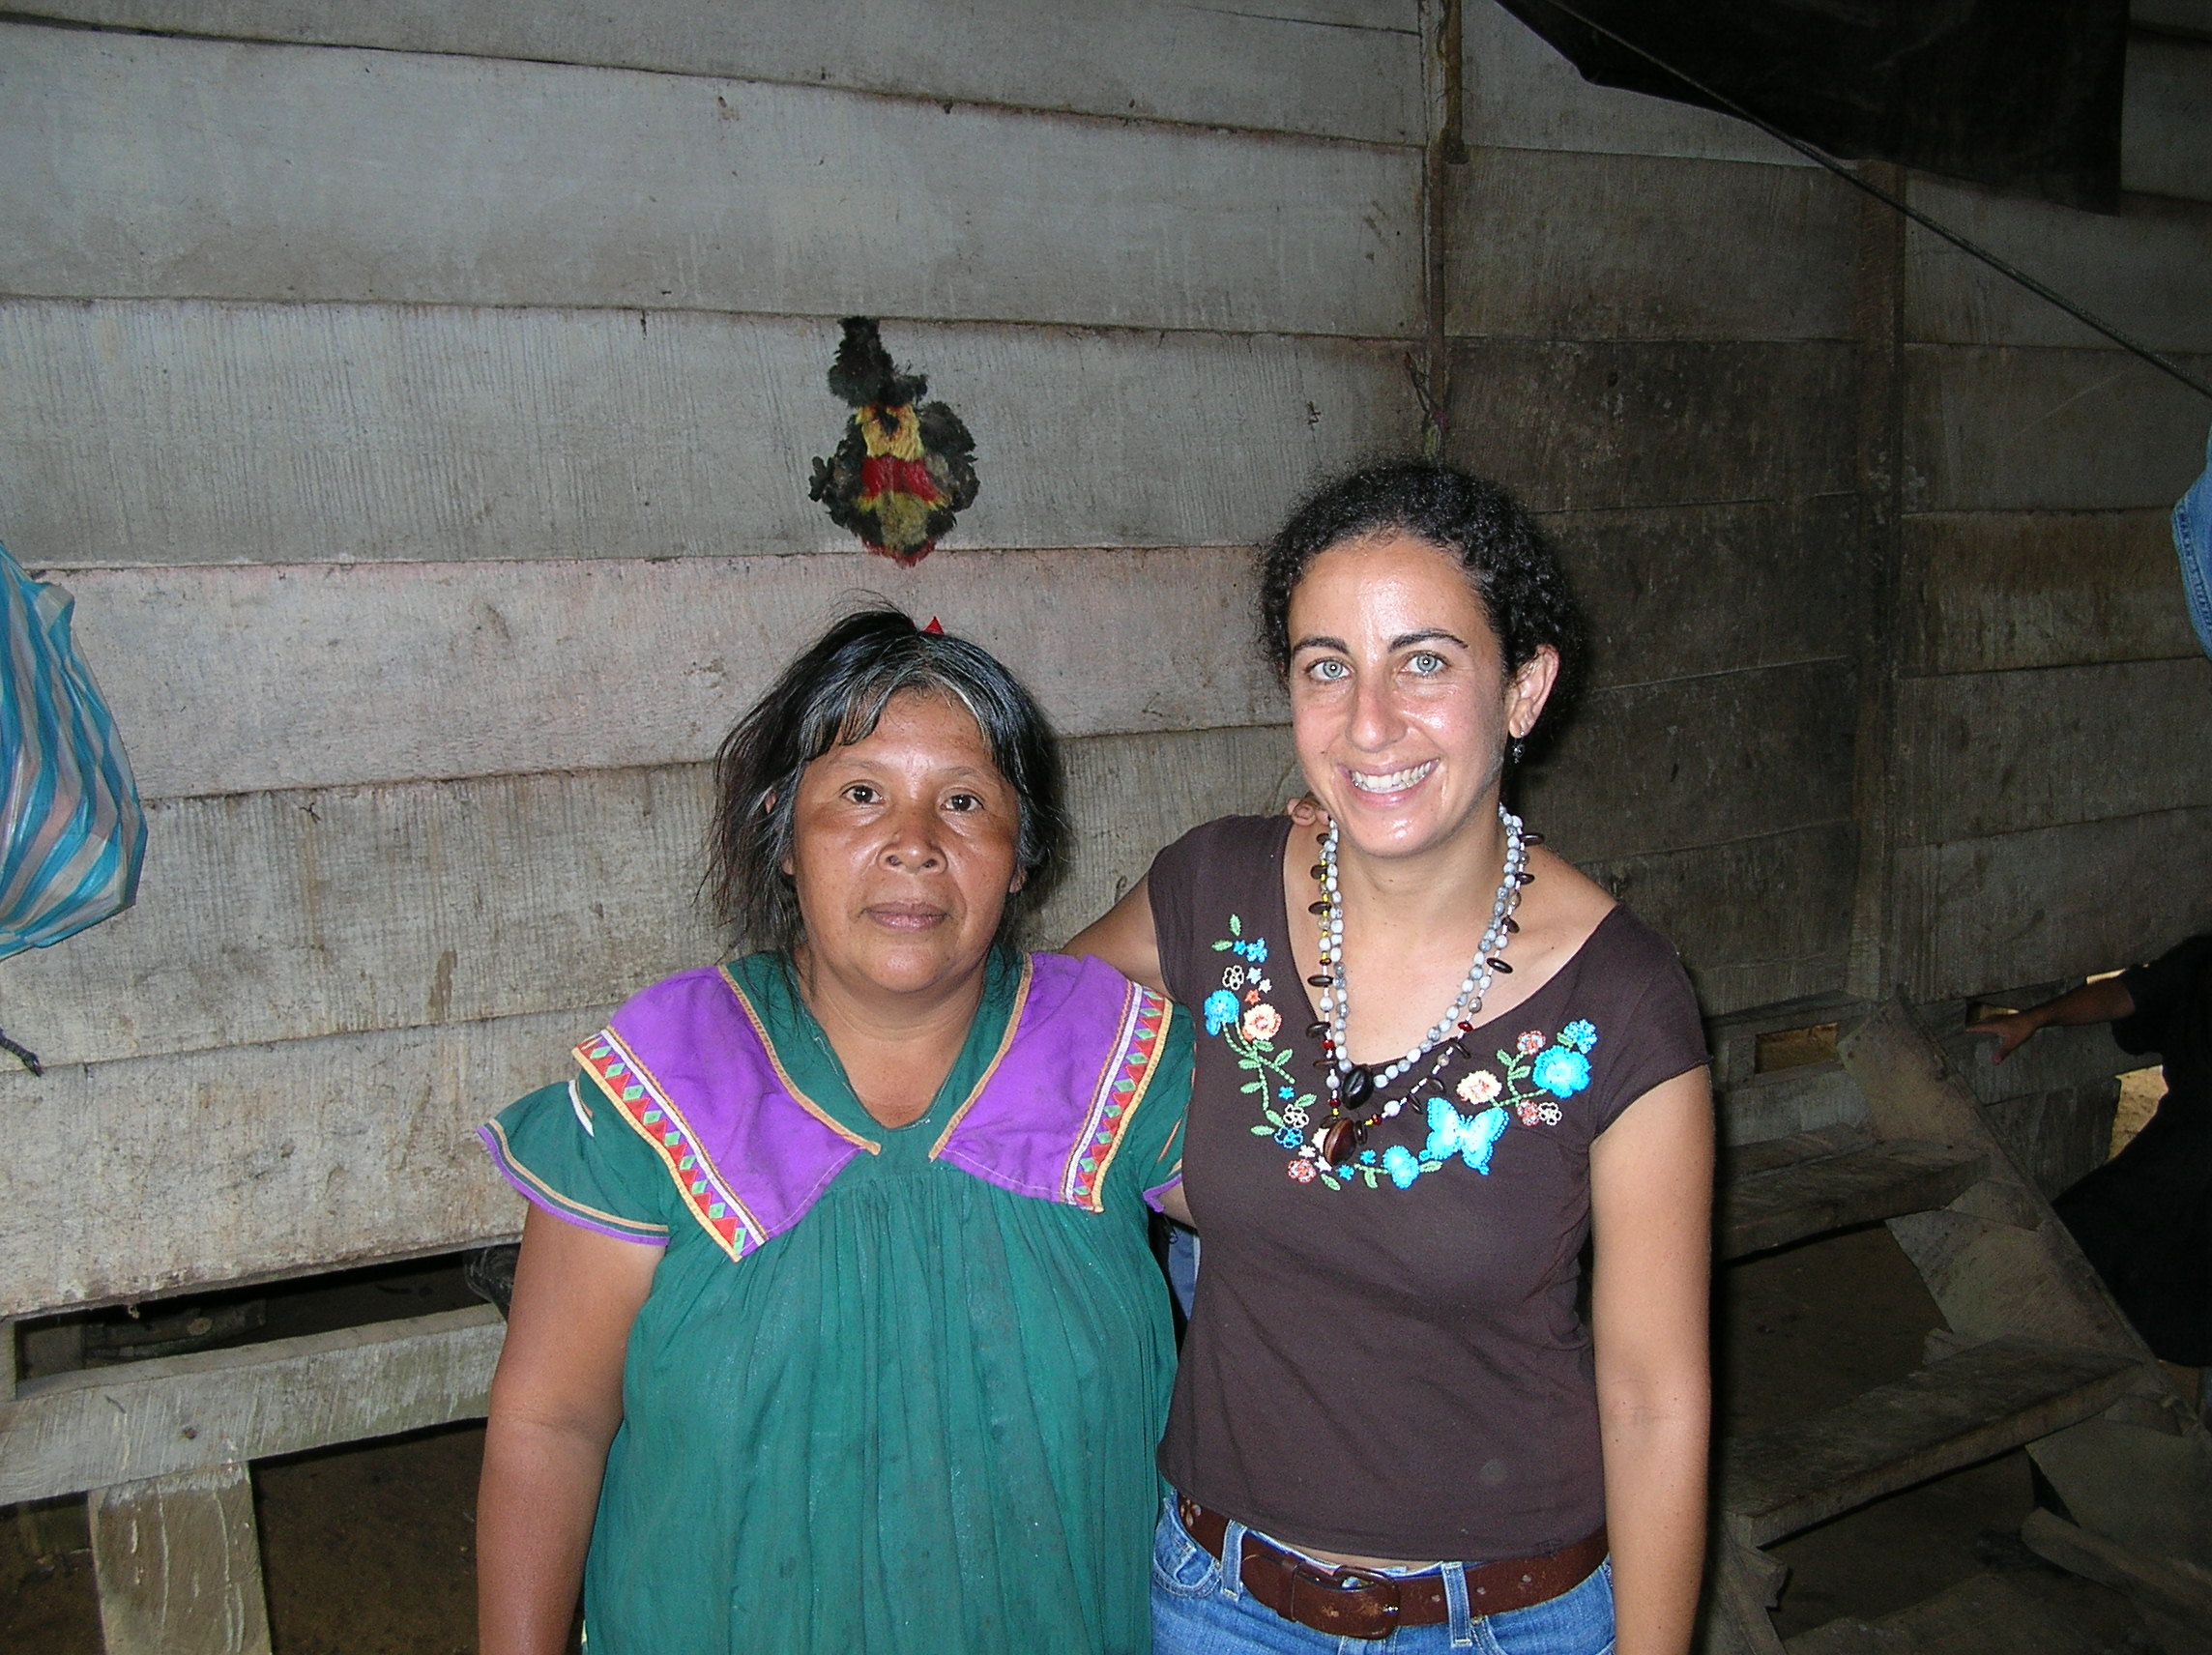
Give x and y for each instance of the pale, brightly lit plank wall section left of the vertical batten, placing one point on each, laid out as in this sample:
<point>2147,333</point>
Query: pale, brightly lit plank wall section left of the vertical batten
<point>419,404</point>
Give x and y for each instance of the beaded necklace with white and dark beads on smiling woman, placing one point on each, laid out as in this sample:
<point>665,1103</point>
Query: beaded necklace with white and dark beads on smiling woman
<point>1355,1085</point>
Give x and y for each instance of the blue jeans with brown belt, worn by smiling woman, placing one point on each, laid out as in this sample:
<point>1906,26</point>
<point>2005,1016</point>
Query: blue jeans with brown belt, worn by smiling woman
<point>1200,1607</point>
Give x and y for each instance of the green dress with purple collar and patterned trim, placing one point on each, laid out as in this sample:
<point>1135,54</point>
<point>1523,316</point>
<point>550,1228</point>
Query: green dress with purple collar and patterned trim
<point>904,1406</point>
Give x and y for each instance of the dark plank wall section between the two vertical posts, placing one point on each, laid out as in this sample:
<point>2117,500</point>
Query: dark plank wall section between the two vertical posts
<point>1653,346</point>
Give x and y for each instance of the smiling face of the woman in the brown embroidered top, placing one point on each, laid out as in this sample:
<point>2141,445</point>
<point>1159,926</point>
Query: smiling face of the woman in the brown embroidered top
<point>1399,694</point>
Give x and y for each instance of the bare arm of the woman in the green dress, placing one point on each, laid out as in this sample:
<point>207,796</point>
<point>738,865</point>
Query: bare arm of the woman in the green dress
<point>556,1402</point>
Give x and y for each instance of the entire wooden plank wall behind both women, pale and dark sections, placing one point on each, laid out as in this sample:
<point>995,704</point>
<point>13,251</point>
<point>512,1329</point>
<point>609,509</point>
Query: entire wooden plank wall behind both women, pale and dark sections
<point>419,404</point>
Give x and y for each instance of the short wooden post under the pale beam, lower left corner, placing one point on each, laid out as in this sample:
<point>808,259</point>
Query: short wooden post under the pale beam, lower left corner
<point>178,1565</point>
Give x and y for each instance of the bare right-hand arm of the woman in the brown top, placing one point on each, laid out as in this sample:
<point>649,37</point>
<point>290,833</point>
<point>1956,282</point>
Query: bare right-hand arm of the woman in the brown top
<point>1651,1214</point>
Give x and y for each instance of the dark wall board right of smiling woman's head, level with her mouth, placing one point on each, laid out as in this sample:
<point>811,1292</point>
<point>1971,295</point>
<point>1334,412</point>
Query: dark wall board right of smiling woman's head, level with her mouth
<point>1698,762</point>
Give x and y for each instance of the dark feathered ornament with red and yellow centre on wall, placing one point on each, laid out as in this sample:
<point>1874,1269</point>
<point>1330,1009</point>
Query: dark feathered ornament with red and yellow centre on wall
<point>906,466</point>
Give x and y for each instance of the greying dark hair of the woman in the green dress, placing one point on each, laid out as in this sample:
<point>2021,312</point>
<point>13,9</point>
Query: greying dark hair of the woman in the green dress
<point>835,696</point>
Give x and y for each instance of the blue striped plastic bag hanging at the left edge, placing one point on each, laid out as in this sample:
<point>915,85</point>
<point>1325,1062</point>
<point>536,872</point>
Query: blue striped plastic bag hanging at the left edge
<point>72,829</point>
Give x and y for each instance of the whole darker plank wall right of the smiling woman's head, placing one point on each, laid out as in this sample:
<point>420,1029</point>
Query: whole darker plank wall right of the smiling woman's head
<point>1669,337</point>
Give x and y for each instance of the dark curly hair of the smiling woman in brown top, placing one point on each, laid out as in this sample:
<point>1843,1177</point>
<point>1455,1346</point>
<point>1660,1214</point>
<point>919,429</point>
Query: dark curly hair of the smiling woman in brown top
<point>1507,563</point>
